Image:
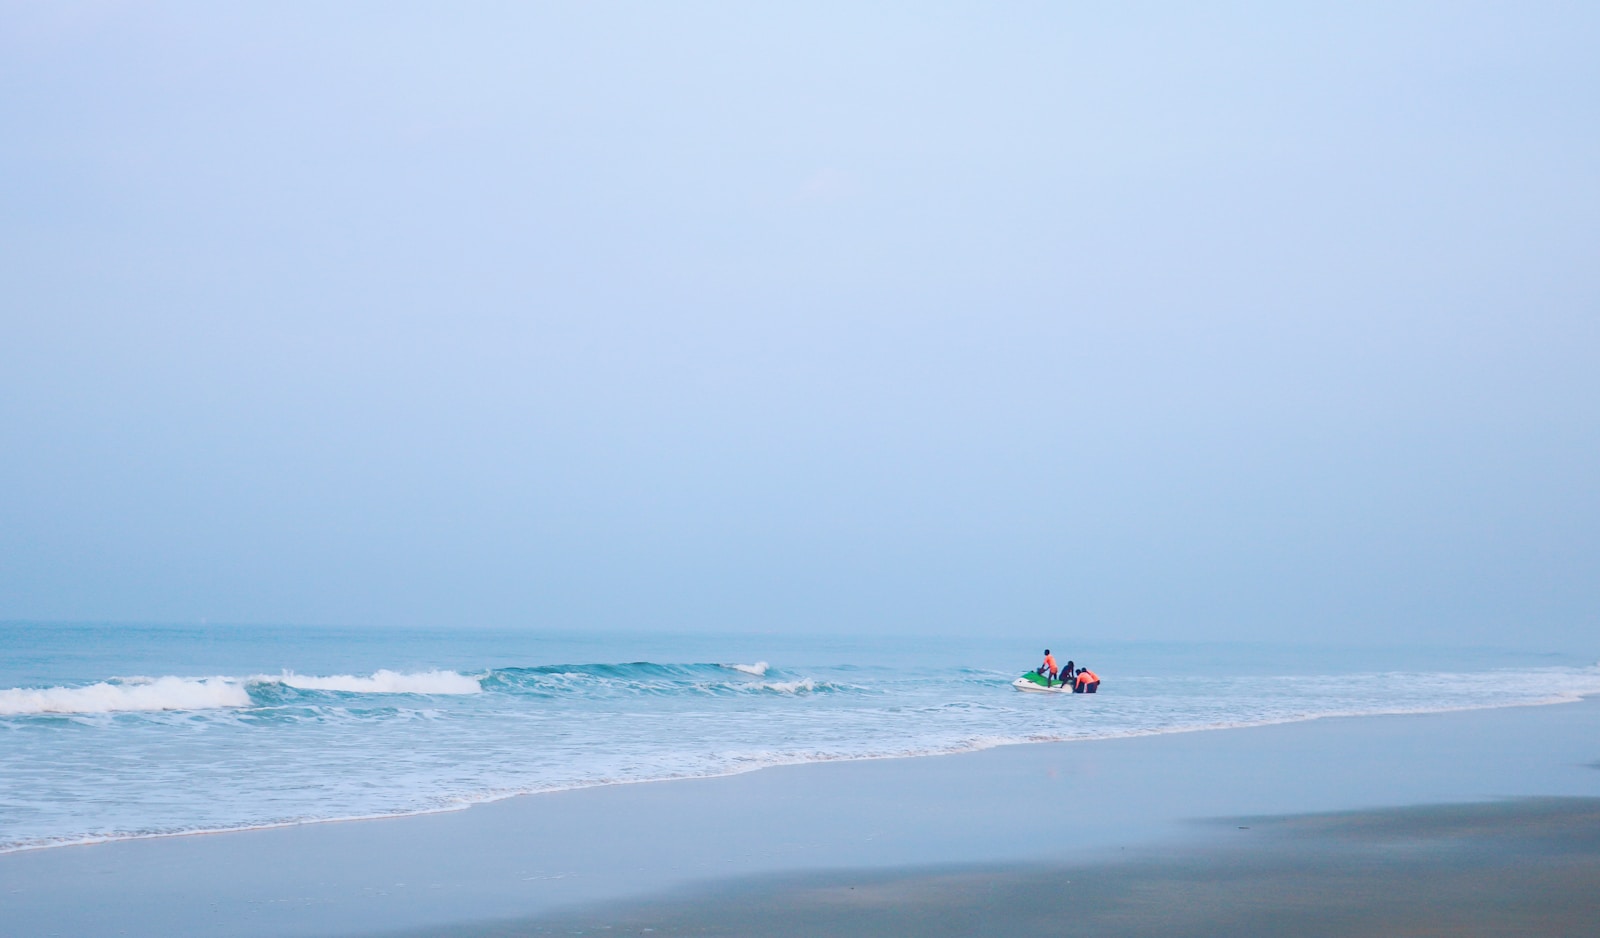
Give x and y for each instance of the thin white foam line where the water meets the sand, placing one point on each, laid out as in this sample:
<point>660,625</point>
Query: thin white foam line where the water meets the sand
<point>791,764</point>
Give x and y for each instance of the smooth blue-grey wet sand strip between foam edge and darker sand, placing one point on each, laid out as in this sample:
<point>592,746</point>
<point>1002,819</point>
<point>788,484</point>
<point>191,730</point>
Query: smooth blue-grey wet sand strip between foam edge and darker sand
<point>1039,806</point>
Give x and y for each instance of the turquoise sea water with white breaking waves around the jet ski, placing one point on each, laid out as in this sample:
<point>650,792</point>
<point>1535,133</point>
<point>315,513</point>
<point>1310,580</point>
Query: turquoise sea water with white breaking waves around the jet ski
<point>113,732</point>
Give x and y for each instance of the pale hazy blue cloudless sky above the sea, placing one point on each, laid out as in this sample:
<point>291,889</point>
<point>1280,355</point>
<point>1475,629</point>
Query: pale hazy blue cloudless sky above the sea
<point>1122,321</point>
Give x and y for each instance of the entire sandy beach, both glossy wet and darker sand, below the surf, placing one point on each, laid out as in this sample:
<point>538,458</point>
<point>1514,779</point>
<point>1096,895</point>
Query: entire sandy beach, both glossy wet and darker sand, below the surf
<point>1183,827</point>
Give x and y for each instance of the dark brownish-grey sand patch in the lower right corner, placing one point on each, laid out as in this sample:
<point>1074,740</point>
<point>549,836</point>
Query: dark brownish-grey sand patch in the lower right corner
<point>1506,868</point>
